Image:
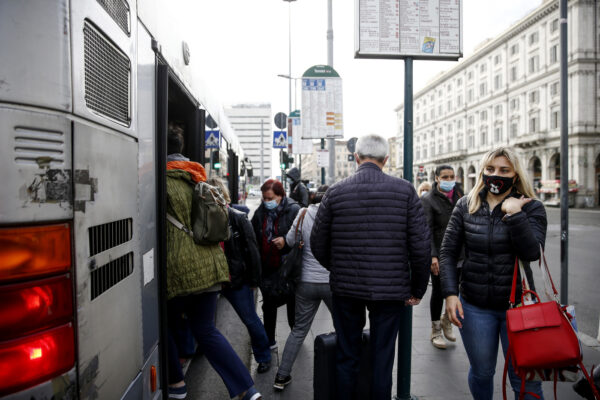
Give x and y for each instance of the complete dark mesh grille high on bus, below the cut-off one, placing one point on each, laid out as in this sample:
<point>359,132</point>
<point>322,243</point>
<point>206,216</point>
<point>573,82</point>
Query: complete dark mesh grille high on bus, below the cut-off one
<point>107,76</point>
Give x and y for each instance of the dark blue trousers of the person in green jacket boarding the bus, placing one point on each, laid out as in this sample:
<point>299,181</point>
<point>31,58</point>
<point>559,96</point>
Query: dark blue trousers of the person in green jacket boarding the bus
<point>200,310</point>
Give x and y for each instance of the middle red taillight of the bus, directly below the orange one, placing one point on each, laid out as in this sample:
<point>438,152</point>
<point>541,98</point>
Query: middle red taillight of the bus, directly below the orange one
<point>32,306</point>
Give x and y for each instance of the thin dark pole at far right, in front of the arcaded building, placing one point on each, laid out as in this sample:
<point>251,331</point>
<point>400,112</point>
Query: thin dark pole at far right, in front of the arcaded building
<point>564,158</point>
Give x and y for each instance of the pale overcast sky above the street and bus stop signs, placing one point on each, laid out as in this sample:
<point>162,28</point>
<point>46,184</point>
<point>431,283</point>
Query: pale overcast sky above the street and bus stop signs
<point>243,45</point>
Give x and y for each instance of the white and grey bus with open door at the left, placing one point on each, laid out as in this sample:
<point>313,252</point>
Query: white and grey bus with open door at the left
<point>87,88</point>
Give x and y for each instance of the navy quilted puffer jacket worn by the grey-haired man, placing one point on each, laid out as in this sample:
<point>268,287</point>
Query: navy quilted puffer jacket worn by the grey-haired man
<point>371,233</point>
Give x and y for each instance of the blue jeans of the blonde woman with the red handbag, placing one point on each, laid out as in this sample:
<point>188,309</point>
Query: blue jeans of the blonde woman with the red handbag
<point>482,330</point>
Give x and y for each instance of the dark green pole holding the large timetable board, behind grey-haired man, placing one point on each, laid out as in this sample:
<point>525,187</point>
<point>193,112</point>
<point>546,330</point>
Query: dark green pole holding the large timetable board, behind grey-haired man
<point>405,332</point>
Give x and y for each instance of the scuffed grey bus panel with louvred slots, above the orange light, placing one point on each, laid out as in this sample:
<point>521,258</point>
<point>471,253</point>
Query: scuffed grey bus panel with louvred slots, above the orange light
<point>36,169</point>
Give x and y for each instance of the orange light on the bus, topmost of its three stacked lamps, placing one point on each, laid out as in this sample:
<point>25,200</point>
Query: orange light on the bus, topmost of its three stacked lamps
<point>29,252</point>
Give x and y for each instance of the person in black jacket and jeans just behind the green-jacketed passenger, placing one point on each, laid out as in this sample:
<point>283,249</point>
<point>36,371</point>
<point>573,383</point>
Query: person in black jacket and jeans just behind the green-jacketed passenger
<point>243,259</point>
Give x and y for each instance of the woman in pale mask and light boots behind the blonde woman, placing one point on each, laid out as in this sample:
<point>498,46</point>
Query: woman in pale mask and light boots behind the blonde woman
<point>438,204</point>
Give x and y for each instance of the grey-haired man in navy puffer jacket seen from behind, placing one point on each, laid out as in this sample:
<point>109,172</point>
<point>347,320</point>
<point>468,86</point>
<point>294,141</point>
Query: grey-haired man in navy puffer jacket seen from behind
<point>371,234</point>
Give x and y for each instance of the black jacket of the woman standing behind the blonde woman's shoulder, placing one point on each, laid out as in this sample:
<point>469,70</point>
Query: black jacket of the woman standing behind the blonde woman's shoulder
<point>438,209</point>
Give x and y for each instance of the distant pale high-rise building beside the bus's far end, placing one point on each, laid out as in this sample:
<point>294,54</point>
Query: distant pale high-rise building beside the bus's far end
<point>252,125</point>
